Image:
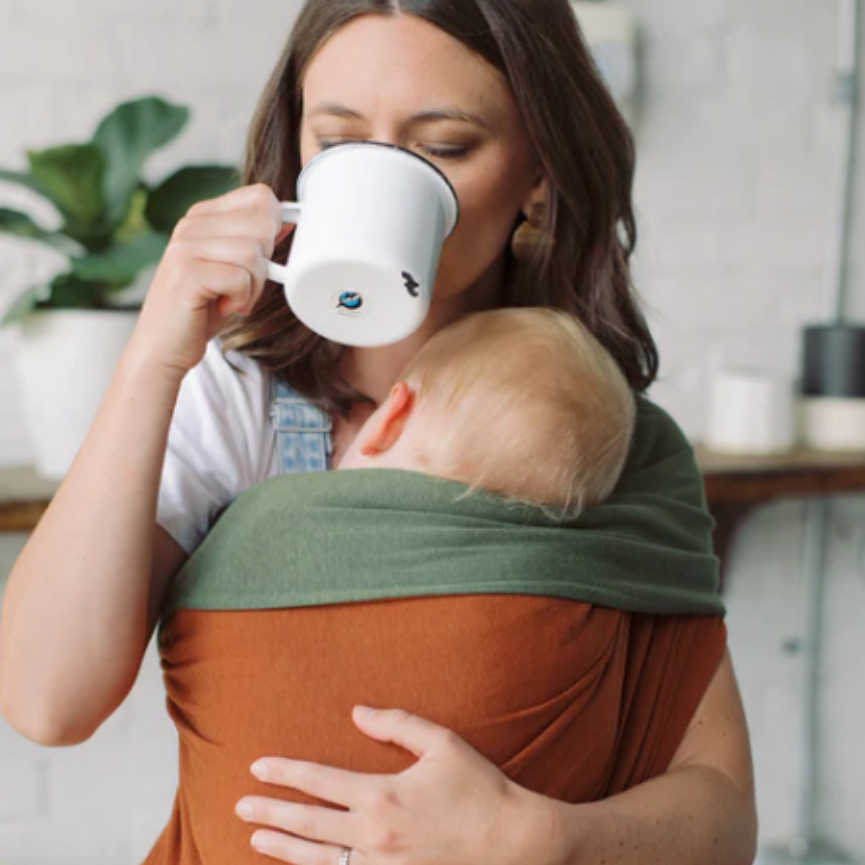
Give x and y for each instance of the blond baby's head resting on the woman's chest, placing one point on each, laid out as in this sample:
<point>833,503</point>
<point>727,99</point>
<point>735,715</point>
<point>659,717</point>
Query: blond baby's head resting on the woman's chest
<point>524,403</point>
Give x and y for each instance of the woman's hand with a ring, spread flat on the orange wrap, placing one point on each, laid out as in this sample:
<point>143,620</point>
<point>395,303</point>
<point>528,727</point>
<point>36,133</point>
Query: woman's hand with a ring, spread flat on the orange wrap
<point>451,807</point>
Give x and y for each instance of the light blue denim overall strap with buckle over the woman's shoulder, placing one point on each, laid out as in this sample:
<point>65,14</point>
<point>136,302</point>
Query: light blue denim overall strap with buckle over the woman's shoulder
<point>303,442</point>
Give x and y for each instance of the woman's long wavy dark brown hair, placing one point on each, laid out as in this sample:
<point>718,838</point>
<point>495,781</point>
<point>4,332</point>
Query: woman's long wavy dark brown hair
<point>582,143</point>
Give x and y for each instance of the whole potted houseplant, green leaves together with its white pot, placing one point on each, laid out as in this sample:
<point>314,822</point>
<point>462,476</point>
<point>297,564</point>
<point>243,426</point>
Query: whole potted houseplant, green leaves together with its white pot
<point>114,227</point>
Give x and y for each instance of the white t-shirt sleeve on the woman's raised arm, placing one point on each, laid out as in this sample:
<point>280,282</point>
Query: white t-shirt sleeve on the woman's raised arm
<point>221,443</point>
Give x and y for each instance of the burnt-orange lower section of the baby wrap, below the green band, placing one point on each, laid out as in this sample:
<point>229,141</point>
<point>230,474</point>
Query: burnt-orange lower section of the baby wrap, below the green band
<point>571,700</point>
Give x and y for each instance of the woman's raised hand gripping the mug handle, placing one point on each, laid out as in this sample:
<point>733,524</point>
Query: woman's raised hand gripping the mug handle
<point>214,267</point>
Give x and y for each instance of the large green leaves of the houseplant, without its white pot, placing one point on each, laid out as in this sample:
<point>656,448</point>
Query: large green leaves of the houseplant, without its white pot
<point>114,224</point>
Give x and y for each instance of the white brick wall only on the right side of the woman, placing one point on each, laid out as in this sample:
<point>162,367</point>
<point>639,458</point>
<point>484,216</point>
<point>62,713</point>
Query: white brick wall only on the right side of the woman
<point>734,192</point>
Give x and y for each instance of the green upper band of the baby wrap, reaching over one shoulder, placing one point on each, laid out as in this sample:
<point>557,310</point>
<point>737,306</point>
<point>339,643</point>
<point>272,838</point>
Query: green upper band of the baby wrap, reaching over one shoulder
<point>374,534</point>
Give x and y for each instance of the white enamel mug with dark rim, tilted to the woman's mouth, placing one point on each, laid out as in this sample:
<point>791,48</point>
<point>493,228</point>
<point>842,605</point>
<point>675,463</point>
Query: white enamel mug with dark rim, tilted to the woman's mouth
<point>371,221</point>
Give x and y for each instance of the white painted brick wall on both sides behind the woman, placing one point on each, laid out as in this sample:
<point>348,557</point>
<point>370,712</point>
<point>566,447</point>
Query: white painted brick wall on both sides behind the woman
<point>733,194</point>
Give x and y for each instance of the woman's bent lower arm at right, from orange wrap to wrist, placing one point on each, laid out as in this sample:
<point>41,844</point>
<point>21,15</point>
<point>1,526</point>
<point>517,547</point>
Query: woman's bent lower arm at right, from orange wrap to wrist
<point>701,812</point>
